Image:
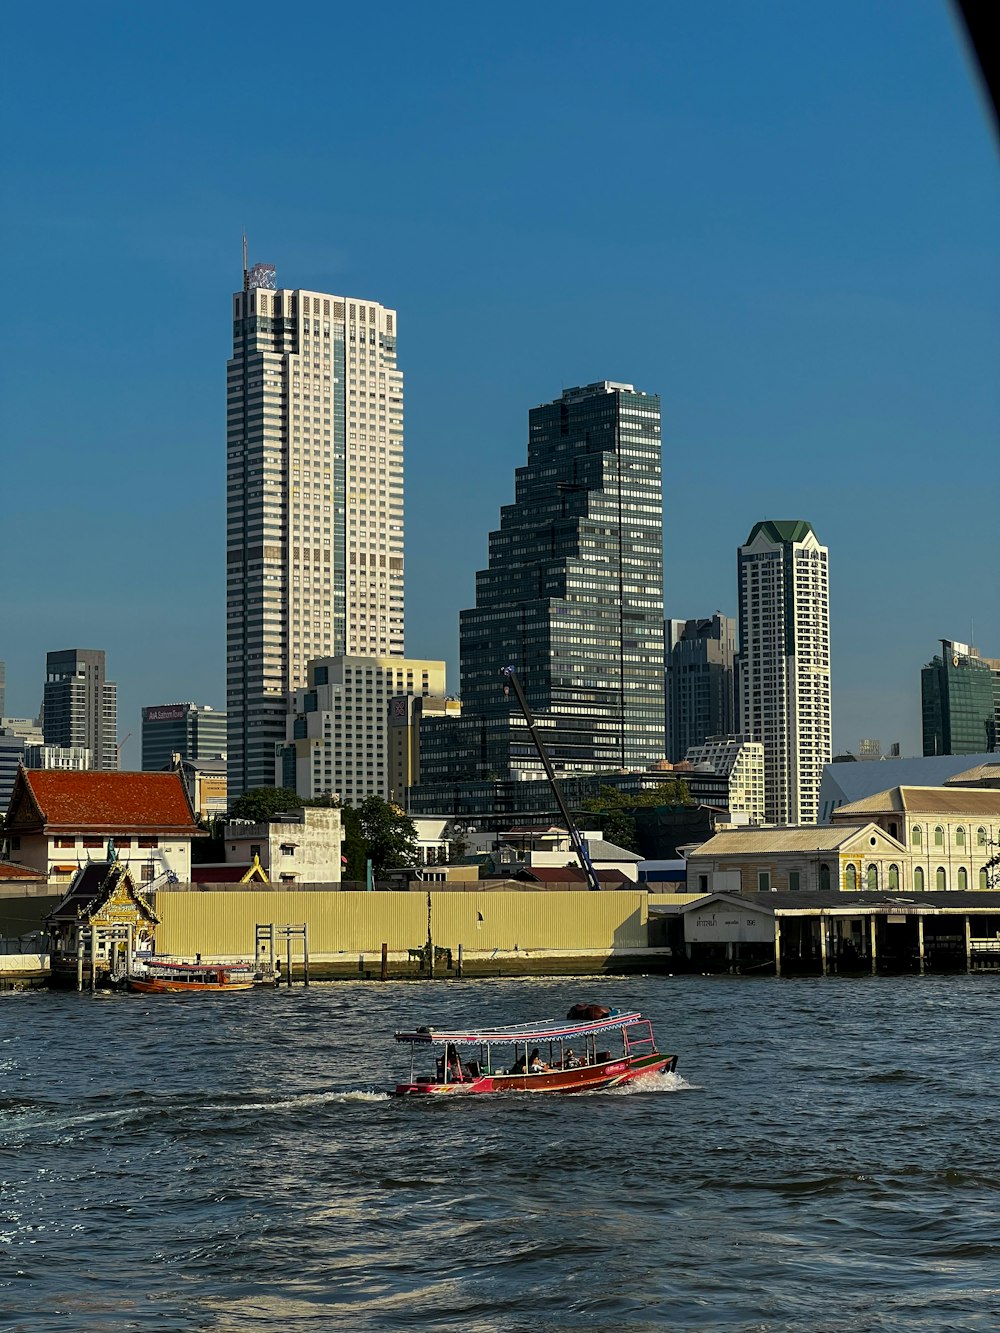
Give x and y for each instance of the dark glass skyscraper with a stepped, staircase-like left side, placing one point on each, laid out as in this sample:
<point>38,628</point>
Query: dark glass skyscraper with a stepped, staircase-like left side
<point>573,599</point>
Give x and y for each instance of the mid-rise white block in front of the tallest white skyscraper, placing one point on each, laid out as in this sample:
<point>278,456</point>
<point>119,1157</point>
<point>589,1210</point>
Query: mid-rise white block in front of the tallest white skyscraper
<point>338,726</point>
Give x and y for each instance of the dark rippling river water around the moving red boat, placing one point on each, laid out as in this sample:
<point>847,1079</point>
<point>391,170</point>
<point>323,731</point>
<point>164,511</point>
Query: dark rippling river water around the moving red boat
<point>825,1159</point>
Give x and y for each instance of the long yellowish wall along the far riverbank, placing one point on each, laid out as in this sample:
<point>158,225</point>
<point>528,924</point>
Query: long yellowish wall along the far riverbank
<point>223,924</point>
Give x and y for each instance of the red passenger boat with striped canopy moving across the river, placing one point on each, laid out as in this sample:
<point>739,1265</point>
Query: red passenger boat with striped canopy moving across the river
<point>547,1056</point>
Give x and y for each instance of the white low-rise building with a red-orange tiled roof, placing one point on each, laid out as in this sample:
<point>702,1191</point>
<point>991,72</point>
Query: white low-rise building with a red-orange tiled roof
<point>58,822</point>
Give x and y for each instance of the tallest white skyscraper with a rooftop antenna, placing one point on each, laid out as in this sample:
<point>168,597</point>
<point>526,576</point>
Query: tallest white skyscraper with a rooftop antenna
<point>315,502</point>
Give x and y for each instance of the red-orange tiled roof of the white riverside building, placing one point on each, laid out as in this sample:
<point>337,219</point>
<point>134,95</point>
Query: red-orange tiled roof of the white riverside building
<point>59,799</point>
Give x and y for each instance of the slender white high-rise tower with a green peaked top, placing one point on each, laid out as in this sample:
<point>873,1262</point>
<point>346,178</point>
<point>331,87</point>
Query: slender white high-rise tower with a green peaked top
<point>785,663</point>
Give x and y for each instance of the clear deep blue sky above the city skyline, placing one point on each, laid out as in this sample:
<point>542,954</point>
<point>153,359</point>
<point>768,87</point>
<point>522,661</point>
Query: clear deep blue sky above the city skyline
<point>782,218</point>
